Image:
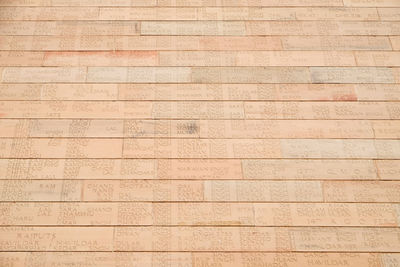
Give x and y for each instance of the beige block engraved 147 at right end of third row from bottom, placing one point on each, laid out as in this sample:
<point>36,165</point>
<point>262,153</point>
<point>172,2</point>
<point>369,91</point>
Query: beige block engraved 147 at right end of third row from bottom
<point>325,214</point>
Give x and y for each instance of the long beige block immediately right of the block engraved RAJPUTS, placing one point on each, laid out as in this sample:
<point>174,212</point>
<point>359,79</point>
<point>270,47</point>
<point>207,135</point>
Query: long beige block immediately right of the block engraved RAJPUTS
<point>198,239</point>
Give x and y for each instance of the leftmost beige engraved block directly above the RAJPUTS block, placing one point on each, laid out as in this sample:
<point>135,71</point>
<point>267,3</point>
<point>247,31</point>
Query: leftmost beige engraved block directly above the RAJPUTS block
<point>74,214</point>
